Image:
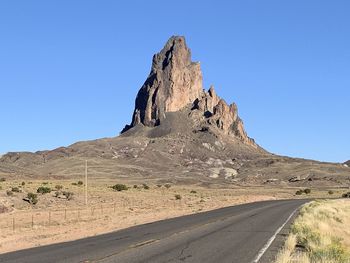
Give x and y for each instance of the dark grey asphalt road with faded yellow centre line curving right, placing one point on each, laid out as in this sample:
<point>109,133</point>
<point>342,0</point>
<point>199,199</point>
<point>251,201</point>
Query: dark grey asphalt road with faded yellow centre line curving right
<point>232,234</point>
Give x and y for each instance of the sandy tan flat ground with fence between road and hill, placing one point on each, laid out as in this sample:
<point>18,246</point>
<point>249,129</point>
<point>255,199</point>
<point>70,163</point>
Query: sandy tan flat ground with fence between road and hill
<point>54,219</point>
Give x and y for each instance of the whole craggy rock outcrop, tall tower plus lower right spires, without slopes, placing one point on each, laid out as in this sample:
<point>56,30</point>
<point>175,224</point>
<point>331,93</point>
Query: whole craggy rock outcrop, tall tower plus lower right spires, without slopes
<point>174,83</point>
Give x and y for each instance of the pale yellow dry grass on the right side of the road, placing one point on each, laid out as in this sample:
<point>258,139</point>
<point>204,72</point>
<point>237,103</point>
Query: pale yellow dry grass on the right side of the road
<point>321,234</point>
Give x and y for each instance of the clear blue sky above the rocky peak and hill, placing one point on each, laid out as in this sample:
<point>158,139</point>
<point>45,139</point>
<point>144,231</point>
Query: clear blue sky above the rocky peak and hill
<point>70,70</point>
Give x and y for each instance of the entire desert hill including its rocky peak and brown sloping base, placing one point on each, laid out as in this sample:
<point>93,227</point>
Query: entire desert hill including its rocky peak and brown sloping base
<point>179,132</point>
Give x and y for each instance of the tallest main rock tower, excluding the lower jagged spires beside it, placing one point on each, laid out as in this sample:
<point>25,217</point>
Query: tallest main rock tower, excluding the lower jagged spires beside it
<point>174,82</point>
